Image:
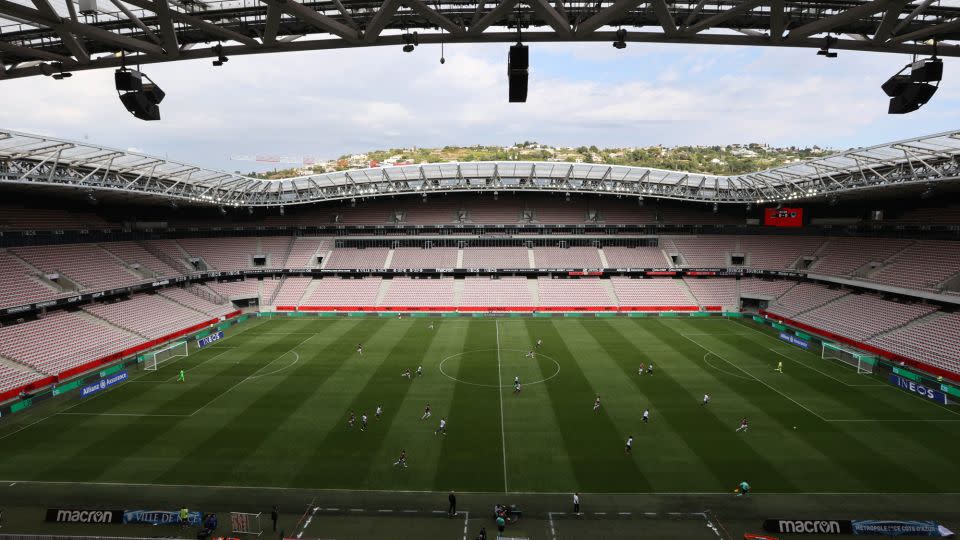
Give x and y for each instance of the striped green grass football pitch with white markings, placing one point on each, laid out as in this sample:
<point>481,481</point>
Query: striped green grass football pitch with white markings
<point>268,406</point>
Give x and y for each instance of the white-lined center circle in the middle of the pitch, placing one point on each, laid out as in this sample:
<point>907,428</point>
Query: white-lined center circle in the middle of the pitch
<point>510,363</point>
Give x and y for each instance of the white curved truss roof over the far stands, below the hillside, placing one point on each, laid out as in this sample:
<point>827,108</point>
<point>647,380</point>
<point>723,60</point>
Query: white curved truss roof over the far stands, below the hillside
<point>36,160</point>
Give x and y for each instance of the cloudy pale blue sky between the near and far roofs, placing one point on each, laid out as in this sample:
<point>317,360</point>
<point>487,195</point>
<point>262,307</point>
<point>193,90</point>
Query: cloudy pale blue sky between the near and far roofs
<point>324,104</point>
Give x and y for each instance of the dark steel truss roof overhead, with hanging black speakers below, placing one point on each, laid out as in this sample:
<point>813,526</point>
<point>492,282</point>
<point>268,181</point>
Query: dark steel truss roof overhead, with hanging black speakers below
<point>45,36</point>
